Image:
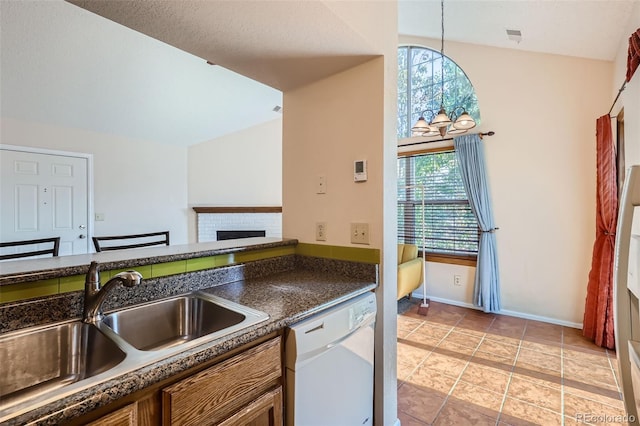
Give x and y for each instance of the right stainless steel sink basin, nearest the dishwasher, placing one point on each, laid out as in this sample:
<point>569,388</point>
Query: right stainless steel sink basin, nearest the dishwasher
<point>173,322</point>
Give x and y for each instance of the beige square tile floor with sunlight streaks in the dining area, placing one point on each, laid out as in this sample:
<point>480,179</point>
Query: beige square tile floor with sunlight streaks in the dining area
<point>459,366</point>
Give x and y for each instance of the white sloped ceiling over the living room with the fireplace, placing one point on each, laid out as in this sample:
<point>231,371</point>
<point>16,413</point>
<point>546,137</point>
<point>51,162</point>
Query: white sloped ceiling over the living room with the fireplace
<point>65,66</point>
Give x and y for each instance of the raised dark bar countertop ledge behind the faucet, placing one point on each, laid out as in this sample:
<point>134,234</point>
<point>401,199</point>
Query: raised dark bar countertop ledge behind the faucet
<point>17,271</point>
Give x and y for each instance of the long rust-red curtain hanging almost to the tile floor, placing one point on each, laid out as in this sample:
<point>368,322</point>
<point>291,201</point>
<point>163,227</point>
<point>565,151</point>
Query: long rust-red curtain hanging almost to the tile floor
<point>598,312</point>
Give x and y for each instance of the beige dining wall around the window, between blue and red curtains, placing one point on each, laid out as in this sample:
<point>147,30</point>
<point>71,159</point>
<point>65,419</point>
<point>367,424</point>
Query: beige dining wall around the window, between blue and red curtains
<point>541,166</point>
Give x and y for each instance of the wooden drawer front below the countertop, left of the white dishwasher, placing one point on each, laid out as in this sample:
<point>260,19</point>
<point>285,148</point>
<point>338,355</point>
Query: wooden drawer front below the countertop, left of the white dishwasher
<point>213,394</point>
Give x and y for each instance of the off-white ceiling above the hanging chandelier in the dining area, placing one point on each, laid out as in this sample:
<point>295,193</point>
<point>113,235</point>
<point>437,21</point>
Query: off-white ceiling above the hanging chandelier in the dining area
<point>583,28</point>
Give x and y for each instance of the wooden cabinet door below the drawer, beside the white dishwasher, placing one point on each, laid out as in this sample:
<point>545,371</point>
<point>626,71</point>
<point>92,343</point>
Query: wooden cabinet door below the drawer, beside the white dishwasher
<point>264,411</point>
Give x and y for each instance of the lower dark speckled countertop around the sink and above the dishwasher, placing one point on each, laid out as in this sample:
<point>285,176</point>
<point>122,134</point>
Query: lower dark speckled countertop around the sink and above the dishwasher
<point>287,297</point>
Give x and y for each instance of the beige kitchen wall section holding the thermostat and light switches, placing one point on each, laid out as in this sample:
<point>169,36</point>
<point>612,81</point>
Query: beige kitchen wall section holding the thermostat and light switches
<point>321,136</point>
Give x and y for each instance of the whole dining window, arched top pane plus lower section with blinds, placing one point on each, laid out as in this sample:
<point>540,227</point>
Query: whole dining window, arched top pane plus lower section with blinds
<point>443,220</point>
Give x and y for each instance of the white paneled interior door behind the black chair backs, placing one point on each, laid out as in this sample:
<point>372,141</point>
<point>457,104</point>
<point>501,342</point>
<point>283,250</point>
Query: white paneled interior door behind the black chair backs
<point>44,195</point>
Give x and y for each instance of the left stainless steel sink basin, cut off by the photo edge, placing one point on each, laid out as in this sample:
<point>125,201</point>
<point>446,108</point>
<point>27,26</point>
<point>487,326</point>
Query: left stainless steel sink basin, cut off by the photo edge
<point>44,359</point>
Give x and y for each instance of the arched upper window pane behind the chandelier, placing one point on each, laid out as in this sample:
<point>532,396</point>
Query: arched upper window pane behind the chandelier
<point>420,86</point>
